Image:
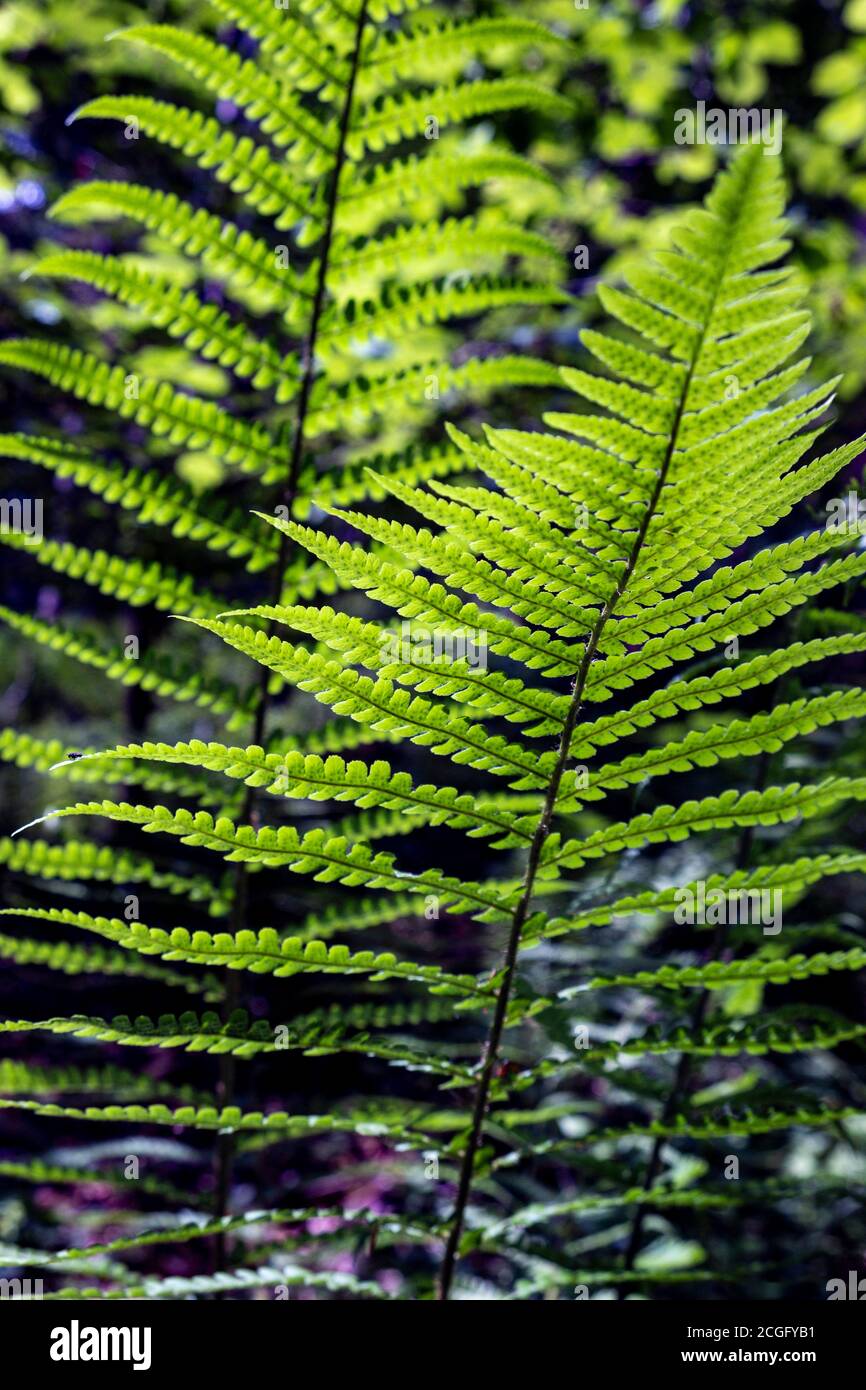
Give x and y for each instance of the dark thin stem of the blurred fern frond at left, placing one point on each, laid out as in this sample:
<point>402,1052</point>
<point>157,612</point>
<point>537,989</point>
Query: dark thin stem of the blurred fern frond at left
<point>226,1147</point>
